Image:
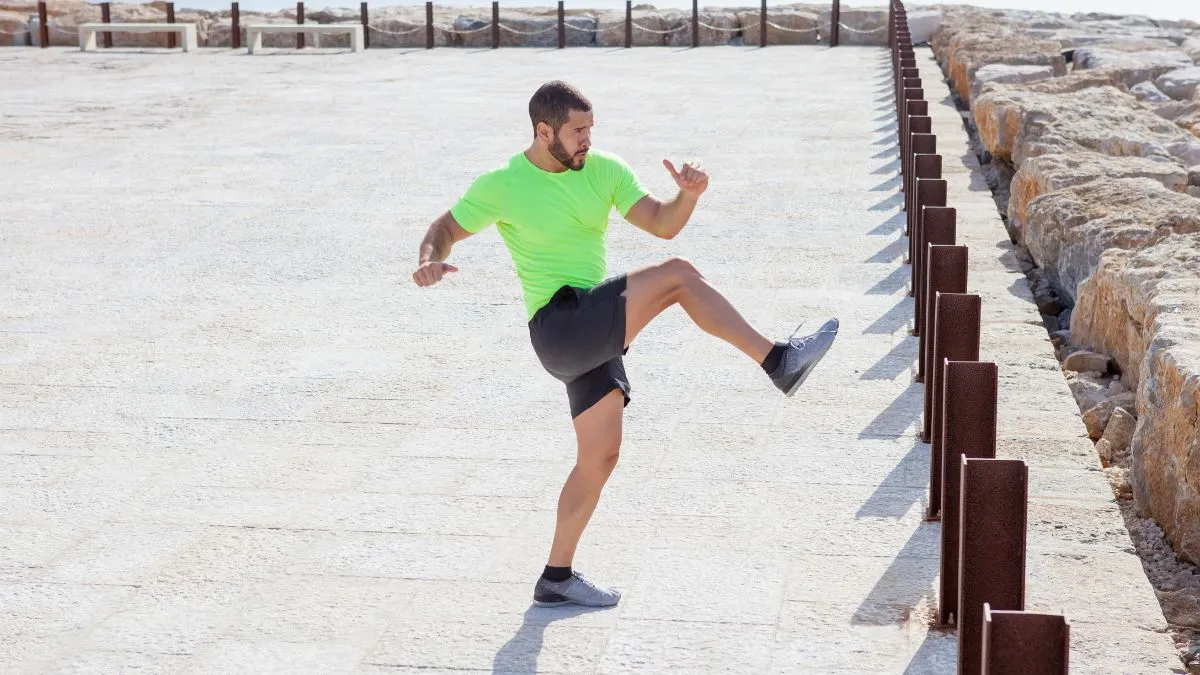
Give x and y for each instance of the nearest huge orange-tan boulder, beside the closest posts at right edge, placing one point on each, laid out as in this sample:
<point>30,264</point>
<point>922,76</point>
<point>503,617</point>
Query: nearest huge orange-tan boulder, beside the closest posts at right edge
<point>1144,309</point>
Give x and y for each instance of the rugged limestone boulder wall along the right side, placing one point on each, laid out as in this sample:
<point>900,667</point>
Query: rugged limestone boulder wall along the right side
<point>1090,127</point>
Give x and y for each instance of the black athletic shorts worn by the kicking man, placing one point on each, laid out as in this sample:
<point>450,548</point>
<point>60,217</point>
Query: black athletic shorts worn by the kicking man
<point>580,338</point>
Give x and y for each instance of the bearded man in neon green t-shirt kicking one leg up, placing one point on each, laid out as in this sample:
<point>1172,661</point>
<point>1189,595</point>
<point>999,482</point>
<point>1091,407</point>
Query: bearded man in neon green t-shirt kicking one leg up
<point>551,205</point>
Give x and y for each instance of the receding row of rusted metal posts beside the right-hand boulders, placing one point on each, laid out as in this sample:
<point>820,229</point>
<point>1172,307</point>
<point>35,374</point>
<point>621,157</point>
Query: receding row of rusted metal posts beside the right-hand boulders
<point>982,501</point>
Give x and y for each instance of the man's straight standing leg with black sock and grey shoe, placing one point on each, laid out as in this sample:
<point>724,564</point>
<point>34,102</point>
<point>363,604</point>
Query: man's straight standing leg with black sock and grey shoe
<point>598,434</point>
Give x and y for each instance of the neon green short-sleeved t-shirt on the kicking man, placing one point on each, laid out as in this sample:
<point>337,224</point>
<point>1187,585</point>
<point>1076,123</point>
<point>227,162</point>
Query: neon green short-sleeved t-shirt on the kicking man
<point>554,224</point>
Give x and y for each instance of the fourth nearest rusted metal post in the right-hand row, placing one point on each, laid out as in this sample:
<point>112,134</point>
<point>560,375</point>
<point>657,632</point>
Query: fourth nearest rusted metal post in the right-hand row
<point>956,338</point>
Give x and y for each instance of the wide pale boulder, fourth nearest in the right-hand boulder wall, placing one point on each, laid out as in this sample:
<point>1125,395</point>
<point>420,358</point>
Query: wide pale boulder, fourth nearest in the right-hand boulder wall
<point>1017,124</point>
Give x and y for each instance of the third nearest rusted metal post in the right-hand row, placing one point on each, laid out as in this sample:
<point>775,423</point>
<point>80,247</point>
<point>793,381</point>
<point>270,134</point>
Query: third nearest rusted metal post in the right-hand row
<point>970,393</point>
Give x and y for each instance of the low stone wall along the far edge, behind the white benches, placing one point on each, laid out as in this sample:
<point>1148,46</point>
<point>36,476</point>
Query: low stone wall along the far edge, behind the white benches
<point>458,27</point>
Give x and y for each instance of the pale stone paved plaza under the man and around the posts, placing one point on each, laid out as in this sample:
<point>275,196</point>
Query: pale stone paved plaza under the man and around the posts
<point>236,438</point>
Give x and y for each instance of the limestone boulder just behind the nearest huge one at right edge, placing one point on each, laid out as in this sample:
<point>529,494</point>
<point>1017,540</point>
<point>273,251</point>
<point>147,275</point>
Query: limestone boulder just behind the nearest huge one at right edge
<point>1067,231</point>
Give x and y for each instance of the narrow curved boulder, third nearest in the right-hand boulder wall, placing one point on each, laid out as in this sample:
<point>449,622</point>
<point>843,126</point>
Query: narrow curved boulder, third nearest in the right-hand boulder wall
<point>1047,174</point>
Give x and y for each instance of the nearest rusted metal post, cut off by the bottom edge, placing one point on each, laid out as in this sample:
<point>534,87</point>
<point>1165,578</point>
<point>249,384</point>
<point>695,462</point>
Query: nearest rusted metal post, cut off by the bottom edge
<point>1024,643</point>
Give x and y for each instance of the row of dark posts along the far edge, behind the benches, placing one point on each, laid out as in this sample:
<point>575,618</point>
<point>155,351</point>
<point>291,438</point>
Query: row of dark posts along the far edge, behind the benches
<point>236,21</point>
